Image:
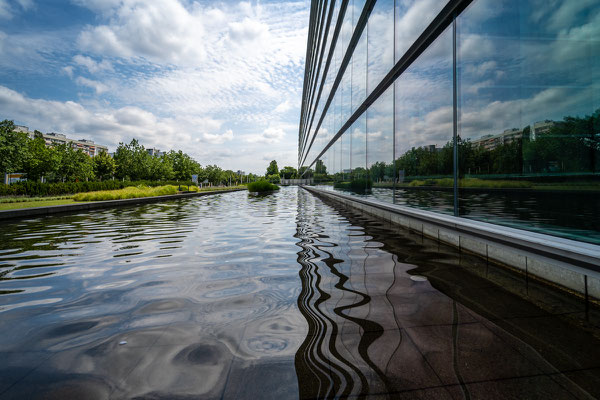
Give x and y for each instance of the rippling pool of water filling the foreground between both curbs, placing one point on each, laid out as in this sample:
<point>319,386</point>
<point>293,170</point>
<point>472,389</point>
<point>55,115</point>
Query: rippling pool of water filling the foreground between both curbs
<point>278,296</point>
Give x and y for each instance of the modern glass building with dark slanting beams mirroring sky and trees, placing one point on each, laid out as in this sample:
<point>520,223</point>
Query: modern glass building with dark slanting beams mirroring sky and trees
<point>484,109</point>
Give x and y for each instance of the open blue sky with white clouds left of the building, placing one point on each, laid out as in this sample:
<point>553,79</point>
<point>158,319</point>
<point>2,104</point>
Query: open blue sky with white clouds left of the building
<point>221,81</point>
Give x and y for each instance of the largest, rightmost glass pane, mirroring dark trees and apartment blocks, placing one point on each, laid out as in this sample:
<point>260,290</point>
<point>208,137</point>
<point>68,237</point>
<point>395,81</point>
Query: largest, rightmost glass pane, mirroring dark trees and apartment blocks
<point>528,75</point>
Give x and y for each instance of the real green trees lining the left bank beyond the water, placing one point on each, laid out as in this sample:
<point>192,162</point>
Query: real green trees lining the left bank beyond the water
<point>131,162</point>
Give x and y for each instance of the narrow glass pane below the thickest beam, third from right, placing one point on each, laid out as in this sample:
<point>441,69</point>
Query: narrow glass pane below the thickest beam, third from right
<point>380,146</point>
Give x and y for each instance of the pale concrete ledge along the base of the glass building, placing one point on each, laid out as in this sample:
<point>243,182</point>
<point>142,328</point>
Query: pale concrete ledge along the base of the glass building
<point>572,265</point>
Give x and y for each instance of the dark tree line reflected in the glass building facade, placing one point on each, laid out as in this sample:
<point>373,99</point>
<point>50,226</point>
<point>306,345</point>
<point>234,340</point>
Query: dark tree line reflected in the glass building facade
<point>570,146</point>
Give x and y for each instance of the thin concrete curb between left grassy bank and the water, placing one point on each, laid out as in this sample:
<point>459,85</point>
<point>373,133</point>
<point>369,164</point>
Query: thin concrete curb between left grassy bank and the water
<point>95,205</point>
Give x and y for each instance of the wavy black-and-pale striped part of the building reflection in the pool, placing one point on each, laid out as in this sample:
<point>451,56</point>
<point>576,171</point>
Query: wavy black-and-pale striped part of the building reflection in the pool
<point>344,283</point>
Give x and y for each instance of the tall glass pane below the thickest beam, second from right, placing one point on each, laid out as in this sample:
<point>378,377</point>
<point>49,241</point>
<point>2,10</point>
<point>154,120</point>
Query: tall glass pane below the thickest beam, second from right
<point>424,130</point>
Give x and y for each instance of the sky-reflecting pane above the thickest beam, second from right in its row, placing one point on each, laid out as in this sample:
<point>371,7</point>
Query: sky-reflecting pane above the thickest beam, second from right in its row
<point>380,42</point>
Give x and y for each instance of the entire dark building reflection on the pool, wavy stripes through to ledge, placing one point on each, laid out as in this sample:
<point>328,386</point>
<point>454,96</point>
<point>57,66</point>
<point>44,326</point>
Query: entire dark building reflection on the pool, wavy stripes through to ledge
<point>376,330</point>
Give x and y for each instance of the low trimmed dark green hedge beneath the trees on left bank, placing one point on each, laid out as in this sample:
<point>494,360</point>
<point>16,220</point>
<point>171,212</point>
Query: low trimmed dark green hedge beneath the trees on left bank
<point>60,188</point>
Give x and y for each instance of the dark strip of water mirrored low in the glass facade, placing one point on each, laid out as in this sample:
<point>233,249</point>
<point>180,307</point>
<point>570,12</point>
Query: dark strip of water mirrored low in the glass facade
<point>572,215</point>
